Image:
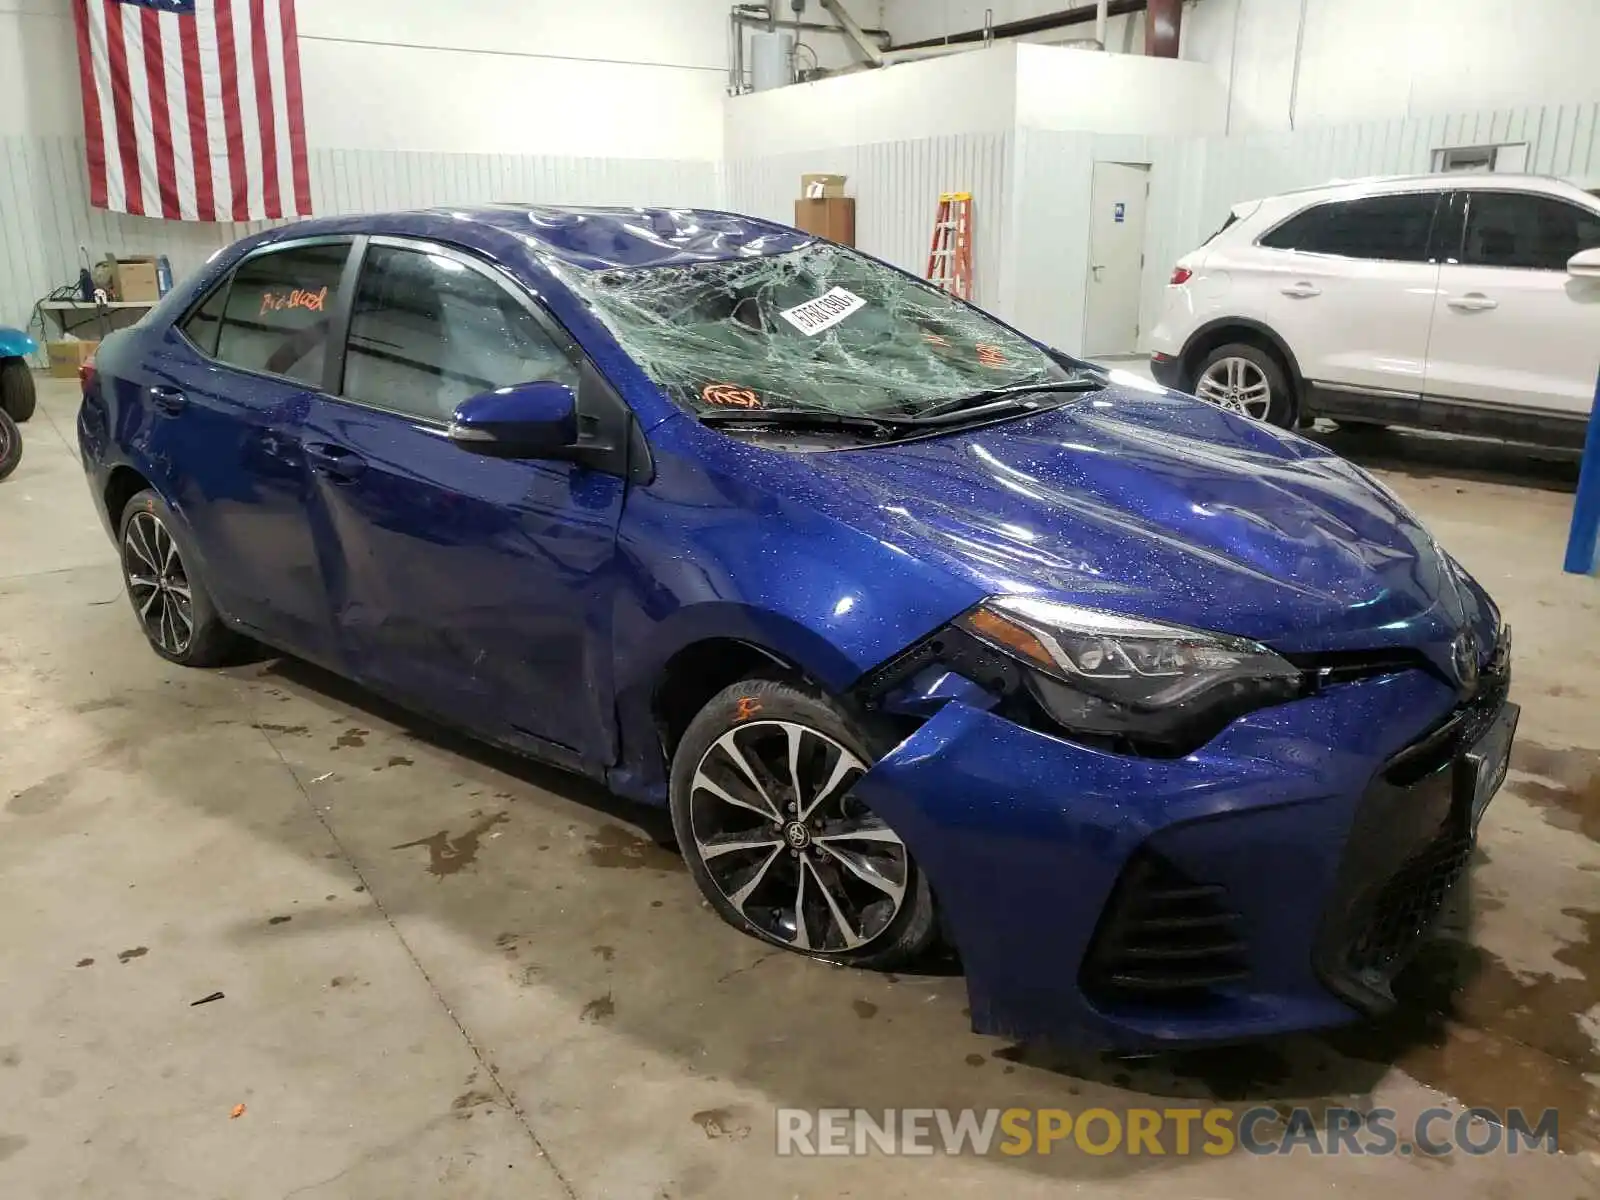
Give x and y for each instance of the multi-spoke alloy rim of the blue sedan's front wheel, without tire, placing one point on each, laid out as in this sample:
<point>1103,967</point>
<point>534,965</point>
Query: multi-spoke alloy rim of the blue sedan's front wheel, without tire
<point>786,842</point>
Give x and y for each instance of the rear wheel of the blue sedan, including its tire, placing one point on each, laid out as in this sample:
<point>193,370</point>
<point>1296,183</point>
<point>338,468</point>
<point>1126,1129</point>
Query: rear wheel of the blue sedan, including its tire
<point>169,599</point>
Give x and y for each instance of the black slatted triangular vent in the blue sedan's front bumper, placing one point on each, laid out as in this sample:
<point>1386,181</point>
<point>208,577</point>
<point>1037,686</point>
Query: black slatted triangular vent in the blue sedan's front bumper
<point>1164,937</point>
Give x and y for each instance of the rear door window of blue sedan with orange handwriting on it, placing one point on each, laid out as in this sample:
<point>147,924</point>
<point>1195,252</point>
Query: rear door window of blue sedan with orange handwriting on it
<point>279,311</point>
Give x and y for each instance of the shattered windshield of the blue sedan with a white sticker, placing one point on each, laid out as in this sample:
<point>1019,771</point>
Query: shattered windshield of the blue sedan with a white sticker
<point>818,329</point>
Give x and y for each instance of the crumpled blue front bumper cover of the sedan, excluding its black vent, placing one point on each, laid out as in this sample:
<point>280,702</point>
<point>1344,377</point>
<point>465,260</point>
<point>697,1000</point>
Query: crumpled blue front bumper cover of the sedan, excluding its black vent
<point>1025,836</point>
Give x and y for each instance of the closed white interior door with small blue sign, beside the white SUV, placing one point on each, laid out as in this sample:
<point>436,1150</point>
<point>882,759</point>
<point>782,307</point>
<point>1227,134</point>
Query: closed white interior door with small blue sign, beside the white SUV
<point>1111,324</point>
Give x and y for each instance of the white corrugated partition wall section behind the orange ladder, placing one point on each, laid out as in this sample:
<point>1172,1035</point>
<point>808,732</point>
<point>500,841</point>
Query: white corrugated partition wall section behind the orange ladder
<point>897,188</point>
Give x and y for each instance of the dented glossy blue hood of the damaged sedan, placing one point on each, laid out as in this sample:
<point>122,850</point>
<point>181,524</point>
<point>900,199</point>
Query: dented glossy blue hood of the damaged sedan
<point>1166,508</point>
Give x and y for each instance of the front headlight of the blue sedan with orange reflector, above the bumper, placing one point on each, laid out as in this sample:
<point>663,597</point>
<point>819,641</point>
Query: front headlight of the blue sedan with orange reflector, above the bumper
<point>1164,689</point>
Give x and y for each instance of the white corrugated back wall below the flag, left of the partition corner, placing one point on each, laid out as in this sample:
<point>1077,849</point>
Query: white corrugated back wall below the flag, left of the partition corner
<point>46,214</point>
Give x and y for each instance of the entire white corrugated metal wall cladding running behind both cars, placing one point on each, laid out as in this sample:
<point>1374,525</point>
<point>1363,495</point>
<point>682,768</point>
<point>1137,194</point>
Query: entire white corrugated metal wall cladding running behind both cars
<point>1031,196</point>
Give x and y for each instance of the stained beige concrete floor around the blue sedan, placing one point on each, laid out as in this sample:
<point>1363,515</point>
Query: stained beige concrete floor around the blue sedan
<point>452,974</point>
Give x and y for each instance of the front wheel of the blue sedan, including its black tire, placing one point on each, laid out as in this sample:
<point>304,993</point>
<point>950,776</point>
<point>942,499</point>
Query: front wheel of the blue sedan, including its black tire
<point>766,818</point>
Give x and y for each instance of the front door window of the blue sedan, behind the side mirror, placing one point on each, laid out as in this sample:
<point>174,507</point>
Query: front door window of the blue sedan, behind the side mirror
<point>430,332</point>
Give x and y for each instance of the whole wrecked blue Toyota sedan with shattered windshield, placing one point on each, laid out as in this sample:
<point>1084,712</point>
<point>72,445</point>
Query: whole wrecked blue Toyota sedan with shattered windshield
<point>1177,727</point>
